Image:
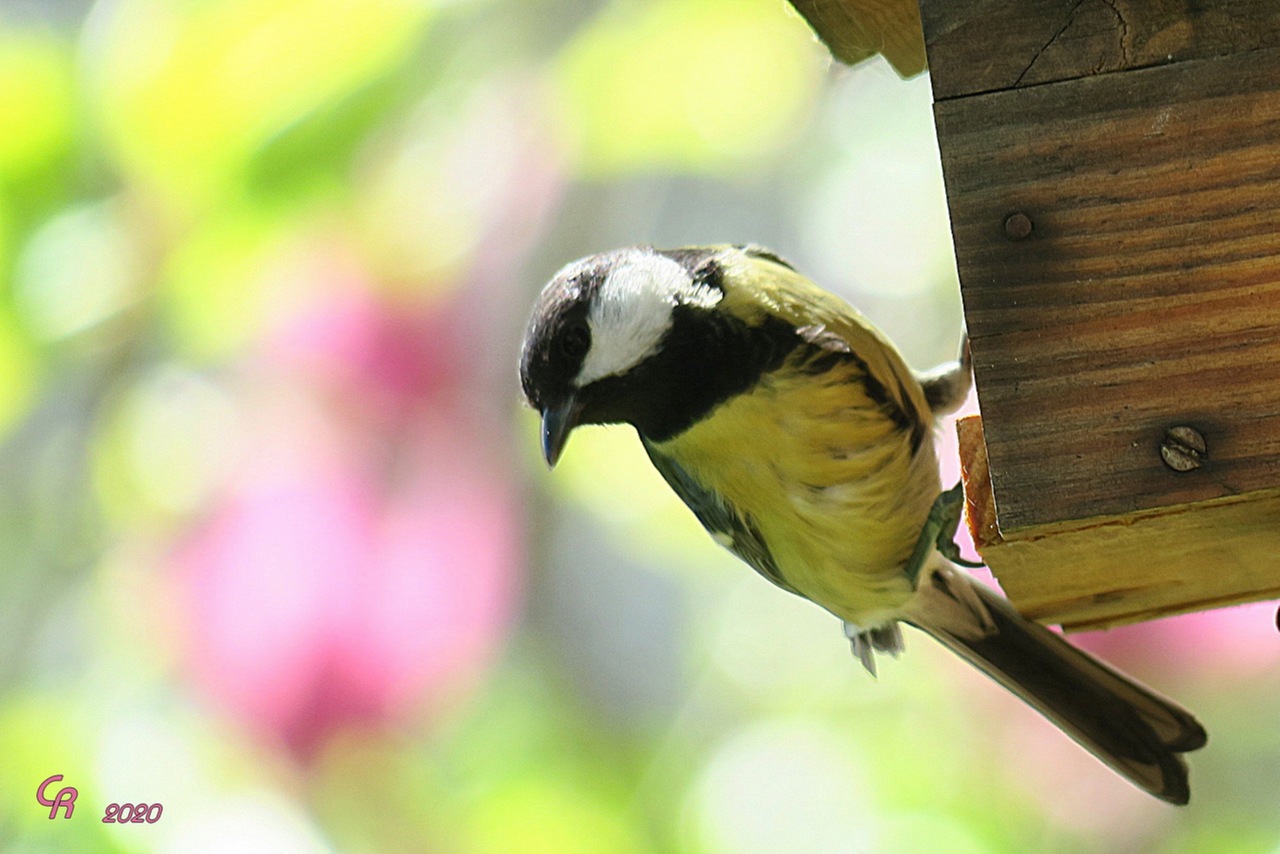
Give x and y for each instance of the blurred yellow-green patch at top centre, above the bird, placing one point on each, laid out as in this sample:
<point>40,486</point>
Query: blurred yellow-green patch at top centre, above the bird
<point>629,106</point>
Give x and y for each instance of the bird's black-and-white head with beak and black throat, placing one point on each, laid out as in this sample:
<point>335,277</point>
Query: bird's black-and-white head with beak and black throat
<point>639,336</point>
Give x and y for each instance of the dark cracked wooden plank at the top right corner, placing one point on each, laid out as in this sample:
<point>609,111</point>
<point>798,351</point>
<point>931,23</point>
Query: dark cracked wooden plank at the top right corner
<point>990,45</point>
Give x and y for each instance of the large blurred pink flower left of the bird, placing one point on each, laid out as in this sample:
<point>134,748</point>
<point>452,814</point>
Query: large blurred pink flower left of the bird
<point>364,565</point>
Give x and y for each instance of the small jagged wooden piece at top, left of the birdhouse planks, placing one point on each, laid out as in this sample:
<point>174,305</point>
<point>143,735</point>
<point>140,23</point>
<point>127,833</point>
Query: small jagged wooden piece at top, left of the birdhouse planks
<point>858,30</point>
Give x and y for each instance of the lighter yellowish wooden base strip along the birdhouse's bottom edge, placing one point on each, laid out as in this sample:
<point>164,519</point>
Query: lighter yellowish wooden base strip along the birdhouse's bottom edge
<point>1126,570</point>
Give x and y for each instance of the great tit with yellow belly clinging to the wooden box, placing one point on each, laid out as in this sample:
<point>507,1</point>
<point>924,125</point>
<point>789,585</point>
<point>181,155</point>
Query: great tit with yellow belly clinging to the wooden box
<point>804,445</point>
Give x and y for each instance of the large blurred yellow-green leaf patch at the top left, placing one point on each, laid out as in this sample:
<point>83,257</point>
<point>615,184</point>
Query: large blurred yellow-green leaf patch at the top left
<point>190,93</point>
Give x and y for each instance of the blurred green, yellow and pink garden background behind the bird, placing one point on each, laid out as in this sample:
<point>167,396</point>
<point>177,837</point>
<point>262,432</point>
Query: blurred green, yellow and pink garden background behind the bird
<point>280,552</point>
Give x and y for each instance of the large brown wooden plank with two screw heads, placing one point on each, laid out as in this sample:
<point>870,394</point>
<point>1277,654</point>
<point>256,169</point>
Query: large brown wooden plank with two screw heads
<point>1146,295</point>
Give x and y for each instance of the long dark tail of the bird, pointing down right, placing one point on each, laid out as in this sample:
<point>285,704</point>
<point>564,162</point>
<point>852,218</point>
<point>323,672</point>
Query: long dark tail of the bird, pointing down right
<point>1130,728</point>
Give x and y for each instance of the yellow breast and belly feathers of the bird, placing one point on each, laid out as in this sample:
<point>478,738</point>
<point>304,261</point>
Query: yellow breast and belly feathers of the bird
<point>829,478</point>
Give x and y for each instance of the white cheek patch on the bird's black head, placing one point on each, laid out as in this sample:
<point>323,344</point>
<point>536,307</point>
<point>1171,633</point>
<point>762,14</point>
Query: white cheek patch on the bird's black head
<point>632,313</point>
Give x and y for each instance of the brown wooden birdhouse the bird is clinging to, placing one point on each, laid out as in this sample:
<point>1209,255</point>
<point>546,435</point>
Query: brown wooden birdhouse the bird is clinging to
<point>1113,173</point>
